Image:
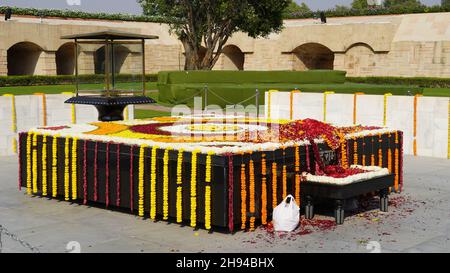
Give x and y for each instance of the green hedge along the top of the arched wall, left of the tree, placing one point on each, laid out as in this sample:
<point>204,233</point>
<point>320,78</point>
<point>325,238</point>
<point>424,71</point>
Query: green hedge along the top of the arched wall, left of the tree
<point>83,15</point>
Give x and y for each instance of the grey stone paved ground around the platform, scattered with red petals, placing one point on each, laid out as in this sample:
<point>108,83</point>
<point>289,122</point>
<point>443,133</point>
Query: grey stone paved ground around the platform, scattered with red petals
<point>418,221</point>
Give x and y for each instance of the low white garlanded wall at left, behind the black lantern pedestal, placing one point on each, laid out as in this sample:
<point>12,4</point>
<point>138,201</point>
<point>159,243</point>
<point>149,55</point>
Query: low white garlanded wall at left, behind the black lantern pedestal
<point>20,113</point>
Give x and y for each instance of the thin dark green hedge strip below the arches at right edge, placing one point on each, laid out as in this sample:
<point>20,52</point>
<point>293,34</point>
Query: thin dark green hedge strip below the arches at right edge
<point>415,81</point>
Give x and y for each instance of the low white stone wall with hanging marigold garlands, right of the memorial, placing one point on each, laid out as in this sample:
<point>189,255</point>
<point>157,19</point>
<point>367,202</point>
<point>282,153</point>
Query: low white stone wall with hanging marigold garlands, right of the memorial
<point>424,120</point>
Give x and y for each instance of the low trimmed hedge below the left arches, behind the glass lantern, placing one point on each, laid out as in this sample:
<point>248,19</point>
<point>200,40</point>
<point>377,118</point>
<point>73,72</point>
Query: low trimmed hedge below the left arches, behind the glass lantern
<point>66,79</point>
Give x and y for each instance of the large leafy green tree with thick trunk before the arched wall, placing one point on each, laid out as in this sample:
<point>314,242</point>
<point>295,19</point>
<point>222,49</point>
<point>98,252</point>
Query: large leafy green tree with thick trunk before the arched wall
<point>204,26</point>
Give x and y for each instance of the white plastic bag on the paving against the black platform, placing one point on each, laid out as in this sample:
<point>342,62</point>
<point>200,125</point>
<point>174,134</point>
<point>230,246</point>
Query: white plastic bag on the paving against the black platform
<point>286,216</point>
